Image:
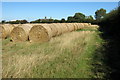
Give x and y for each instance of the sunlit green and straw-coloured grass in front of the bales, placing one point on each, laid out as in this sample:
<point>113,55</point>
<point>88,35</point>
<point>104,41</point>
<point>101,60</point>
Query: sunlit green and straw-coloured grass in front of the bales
<point>67,56</point>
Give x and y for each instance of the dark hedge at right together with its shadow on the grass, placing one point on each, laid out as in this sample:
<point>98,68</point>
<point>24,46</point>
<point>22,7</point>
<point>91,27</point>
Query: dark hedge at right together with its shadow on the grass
<point>109,53</point>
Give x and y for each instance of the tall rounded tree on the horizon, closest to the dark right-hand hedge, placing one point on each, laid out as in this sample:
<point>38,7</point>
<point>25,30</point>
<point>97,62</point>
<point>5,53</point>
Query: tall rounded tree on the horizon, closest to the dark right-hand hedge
<point>99,14</point>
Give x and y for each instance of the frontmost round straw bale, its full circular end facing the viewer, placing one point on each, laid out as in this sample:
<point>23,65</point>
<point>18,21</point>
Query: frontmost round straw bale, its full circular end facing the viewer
<point>40,33</point>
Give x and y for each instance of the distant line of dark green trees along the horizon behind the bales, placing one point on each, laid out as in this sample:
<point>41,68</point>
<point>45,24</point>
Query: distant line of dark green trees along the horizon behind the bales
<point>78,17</point>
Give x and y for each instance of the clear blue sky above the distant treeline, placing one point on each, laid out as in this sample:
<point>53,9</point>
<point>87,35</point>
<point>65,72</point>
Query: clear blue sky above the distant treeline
<point>57,10</point>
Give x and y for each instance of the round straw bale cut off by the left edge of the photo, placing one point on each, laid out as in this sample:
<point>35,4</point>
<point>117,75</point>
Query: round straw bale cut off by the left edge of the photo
<point>6,30</point>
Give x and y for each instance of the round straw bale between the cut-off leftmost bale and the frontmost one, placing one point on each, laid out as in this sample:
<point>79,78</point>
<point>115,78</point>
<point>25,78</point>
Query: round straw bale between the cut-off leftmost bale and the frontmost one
<point>21,32</point>
